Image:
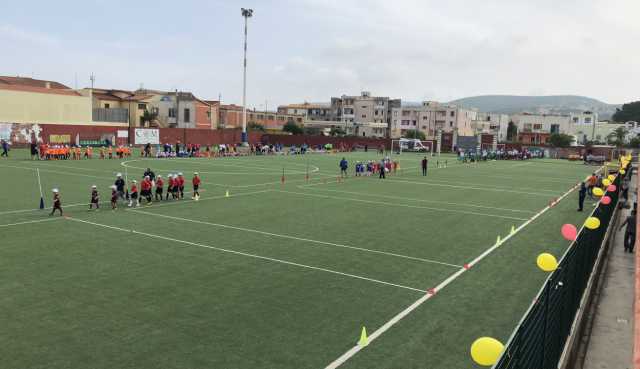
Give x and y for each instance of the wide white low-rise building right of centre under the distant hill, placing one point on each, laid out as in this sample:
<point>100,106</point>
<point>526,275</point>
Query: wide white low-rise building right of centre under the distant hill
<point>536,128</point>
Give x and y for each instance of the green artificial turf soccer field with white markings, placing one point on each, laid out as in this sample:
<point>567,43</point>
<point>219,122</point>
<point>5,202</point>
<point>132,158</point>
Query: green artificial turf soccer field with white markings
<point>276,275</point>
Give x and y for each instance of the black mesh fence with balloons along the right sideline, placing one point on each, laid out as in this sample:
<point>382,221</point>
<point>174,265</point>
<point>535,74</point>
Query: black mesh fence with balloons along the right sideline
<point>539,340</point>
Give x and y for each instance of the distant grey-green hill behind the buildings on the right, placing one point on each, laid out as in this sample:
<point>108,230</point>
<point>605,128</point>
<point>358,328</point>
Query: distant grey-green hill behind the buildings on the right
<point>560,104</point>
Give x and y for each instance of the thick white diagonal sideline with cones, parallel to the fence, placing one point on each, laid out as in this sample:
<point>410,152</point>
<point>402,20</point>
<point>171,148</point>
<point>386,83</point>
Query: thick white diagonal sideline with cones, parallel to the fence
<point>385,327</point>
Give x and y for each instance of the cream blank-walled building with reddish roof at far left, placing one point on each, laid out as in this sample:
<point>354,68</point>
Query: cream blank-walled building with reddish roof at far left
<point>27,100</point>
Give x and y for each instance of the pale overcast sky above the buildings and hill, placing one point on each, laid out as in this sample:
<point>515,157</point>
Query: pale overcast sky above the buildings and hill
<point>310,50</point>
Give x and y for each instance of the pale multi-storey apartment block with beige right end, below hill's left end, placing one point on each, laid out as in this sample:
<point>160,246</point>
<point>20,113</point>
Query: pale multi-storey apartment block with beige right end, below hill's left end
<point>432,117</point>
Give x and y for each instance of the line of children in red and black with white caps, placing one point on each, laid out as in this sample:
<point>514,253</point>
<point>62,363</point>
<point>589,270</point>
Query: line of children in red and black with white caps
<point>136,193</point>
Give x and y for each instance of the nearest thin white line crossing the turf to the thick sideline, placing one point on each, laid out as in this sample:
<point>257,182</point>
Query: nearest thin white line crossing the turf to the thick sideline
<point>250,255</point>
